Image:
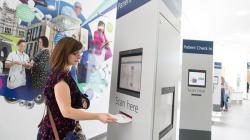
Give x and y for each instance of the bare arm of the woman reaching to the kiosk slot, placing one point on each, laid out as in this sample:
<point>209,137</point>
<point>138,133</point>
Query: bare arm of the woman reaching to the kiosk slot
<point>63,99</point>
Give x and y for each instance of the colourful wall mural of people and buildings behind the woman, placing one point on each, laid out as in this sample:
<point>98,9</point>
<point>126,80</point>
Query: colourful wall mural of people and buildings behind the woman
<point>39,25</point>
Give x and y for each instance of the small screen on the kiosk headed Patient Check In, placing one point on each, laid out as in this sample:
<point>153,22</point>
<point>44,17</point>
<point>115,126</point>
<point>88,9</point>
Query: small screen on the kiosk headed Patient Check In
<point>197,78</point>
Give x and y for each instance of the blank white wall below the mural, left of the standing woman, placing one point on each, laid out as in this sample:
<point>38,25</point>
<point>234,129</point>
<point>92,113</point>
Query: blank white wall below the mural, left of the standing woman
<point>19,122</point>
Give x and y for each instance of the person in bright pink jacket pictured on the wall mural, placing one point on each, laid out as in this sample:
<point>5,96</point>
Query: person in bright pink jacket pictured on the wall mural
<point>101,42</point>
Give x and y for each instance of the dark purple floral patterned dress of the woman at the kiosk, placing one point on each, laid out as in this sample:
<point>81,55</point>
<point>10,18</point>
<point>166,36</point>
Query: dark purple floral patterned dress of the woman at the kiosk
<point>63,125</point>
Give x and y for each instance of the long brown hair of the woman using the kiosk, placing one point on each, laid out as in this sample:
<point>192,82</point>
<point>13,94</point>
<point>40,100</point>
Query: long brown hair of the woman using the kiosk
<point>61,52</point>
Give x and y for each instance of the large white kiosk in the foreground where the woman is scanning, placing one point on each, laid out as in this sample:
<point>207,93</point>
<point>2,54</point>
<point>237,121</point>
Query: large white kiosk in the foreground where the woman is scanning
<point>146,70</point>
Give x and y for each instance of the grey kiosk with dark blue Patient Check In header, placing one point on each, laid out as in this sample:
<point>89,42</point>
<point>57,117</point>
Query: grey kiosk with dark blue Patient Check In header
<point>196,90</point>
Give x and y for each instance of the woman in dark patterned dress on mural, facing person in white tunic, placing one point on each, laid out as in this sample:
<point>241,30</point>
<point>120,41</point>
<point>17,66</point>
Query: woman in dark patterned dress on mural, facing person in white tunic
<point>41,67</point>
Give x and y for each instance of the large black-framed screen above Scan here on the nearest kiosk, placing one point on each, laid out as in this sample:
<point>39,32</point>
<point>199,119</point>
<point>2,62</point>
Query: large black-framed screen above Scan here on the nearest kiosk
<point>129,74</point>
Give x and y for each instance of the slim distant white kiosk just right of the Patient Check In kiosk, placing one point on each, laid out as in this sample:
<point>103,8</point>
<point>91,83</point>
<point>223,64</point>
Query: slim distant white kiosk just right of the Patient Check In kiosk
<point>217,86</point>
